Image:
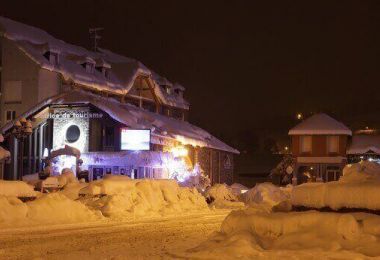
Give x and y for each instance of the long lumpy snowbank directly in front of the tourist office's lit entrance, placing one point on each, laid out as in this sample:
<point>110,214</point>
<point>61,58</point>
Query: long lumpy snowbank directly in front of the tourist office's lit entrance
<point>120,197</point>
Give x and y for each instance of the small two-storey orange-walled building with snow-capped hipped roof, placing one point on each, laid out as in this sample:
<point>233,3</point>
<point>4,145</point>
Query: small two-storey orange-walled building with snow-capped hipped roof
<point>319,146</point>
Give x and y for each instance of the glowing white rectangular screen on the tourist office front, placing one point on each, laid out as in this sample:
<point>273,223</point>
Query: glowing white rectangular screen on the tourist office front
<point>135,140</point>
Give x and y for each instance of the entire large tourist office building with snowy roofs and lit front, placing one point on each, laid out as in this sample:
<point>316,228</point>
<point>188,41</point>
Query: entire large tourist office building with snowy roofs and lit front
<point>97,112</point>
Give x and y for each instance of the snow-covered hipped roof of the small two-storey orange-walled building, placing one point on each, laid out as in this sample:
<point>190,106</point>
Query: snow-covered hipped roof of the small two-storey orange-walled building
<point>320,124</point>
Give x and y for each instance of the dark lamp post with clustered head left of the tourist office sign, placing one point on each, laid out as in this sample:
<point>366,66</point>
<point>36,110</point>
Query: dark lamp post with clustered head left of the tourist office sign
<point>22,128</point>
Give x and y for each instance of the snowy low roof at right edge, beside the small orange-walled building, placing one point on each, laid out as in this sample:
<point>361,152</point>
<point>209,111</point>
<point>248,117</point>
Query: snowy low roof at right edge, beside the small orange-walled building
<point>364,143</point>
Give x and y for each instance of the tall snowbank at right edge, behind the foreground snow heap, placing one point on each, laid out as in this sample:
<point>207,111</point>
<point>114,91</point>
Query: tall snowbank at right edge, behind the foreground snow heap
<point>358,188</point>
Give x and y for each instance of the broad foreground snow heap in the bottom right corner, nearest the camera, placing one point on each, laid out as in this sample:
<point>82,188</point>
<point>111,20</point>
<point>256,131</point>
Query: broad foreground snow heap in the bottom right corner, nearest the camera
<point>255,234</point>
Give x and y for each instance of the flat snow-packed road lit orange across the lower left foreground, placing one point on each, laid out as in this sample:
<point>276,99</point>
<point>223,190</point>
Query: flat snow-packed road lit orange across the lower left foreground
<point>144,239</point>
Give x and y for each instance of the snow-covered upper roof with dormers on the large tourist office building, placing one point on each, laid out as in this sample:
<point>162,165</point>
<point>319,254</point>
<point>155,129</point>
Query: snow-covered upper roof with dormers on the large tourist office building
<point>35,43</point>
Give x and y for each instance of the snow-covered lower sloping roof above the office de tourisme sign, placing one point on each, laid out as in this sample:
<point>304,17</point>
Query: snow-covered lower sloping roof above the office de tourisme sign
<point>136,118</point>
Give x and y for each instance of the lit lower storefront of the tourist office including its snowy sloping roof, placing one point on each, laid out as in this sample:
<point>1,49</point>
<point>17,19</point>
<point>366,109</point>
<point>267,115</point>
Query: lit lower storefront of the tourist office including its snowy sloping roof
<point>94,137</point>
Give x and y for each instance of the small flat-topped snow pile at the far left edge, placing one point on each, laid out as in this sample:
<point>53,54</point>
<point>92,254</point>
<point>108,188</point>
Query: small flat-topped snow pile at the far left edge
<point>16,189</point>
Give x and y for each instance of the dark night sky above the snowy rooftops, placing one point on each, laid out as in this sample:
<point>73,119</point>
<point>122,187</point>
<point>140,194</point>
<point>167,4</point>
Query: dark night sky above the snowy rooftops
<point>245,64</point>
